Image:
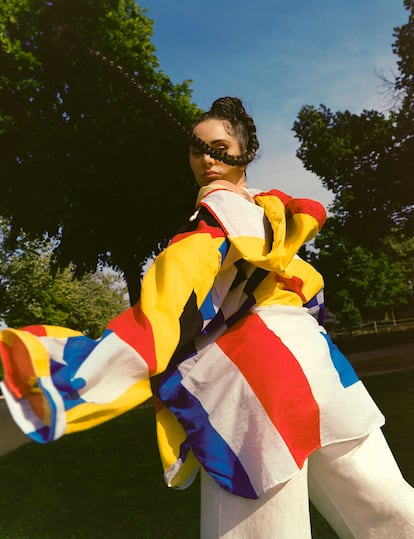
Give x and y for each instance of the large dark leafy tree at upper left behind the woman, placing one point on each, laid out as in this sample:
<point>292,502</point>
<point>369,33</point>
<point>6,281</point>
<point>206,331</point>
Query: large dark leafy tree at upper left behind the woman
<point>86,156</point>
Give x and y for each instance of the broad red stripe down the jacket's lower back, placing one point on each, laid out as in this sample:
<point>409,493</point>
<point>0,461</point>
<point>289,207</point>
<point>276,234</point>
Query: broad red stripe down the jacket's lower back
<point>278,381</point>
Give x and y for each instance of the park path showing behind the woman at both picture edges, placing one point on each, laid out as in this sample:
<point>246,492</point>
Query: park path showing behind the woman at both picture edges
<point>382,361</point>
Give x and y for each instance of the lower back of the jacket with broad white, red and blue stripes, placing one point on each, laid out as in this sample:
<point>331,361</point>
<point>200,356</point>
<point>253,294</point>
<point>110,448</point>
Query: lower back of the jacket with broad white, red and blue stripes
<point>276,399</point>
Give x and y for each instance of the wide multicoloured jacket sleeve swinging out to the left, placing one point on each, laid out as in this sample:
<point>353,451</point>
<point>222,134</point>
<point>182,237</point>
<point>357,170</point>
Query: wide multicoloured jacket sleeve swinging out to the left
<point>58,381</point>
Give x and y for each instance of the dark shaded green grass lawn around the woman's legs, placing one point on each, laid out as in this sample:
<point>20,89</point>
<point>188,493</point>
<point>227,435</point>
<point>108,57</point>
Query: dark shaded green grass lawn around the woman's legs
<point>107,482</point>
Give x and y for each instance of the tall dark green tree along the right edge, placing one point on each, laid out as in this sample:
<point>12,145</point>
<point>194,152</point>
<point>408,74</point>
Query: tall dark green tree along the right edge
<point>365,249</point>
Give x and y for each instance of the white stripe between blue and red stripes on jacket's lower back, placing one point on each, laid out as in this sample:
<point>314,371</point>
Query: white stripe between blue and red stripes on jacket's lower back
<point>271,457</point>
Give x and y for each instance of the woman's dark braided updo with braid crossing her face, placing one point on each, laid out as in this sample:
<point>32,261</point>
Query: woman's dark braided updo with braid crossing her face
<point>231,110</point>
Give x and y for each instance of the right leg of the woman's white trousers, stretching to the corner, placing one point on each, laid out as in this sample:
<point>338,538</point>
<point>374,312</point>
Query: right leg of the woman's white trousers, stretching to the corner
<point>359,489</point>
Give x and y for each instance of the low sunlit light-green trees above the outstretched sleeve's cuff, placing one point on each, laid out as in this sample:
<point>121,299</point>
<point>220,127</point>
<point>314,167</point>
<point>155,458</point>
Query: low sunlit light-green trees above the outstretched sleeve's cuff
<point>33,291</point>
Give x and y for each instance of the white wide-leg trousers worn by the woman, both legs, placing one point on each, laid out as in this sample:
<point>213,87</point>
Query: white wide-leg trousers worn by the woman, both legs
<point>357,486</point>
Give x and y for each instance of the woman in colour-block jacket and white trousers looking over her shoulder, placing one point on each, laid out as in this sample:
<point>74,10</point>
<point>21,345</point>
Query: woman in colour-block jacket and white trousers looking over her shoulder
<point>253,390</point>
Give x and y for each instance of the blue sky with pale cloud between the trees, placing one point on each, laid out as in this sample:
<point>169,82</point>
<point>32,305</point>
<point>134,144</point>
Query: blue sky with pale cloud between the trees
<point>278,55</point>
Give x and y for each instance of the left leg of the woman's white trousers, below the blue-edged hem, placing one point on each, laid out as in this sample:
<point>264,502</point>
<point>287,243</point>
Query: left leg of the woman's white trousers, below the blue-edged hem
<point>281,513</point>
